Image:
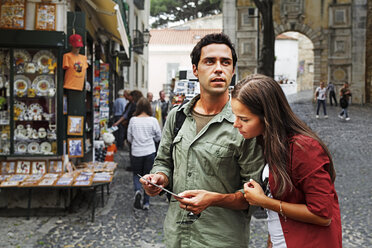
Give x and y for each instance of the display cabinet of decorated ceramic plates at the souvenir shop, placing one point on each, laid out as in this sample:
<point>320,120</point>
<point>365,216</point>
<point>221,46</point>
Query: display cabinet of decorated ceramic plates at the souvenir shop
<point>30,99</point>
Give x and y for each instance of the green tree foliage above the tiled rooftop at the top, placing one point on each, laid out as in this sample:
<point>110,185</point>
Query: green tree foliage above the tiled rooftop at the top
<point>164,11</point>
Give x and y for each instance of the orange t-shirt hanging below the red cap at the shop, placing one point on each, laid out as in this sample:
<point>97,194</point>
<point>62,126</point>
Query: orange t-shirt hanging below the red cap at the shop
<point>75,66</point>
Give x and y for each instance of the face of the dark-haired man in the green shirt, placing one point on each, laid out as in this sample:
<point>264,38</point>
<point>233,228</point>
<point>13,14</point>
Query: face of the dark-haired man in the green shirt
<point>215,69</point>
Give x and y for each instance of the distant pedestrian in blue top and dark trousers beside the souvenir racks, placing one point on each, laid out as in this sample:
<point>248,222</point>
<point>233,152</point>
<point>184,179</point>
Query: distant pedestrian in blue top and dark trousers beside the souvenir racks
<point>119,107</point>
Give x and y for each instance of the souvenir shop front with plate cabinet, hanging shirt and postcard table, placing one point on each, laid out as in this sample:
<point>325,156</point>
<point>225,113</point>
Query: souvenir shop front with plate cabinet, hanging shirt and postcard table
<point>47,128</point>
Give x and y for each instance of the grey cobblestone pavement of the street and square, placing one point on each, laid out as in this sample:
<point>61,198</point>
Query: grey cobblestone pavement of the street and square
<point>117,224</point>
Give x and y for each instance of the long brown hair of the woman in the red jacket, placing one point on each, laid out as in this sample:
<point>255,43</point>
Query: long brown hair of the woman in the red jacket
<point>264,97</point>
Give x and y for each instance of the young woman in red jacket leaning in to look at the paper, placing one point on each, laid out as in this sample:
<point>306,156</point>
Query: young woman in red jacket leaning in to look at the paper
<point>301,201</point>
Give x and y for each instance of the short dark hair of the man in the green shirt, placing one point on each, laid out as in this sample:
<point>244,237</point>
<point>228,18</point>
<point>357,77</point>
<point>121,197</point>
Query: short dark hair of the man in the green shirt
<point>216,38</point>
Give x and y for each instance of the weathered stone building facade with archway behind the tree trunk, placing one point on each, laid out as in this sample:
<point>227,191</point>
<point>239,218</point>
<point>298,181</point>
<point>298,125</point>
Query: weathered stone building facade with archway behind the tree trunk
<point>337,29</point>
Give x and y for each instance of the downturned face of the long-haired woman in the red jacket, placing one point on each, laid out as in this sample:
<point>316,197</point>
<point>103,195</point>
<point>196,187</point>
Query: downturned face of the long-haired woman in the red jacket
<point>249,124</point>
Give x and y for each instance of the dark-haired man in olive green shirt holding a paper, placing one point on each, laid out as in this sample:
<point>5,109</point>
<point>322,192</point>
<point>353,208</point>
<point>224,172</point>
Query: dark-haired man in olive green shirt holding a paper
<point>210,160</point>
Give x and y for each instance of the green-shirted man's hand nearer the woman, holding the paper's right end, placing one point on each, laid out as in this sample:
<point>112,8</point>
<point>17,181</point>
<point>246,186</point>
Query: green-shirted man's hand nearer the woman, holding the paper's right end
<point>196,201</point>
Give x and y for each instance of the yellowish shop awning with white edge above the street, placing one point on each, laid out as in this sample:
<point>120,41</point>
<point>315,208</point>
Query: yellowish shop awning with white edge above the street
<point>110,20</point>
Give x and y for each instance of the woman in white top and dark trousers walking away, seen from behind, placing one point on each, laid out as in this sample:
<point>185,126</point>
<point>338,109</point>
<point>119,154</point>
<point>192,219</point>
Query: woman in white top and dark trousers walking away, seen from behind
<point>143,132</point>
